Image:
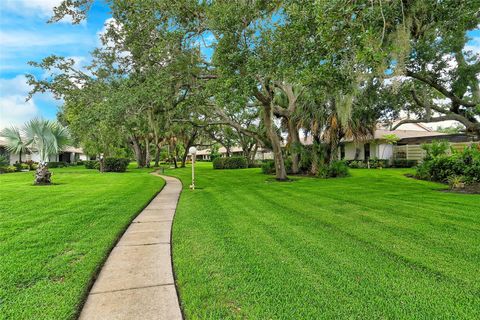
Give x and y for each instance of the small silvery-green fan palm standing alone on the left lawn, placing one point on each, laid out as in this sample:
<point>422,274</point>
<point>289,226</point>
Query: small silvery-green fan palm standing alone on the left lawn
<point>49,138</point>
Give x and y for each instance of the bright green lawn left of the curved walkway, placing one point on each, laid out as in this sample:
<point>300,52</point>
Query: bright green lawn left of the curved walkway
<point>53,239</point>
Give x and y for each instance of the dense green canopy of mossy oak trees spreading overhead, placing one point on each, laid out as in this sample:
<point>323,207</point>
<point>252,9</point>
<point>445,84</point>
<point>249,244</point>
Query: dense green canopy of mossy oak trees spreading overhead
<point>259,72</point>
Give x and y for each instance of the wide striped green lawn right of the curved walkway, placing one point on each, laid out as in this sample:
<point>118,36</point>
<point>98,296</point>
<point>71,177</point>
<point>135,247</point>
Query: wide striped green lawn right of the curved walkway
<point>376,245</point>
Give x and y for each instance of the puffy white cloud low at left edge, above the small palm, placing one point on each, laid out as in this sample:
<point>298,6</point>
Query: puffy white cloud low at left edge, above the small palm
<point>14,110</point>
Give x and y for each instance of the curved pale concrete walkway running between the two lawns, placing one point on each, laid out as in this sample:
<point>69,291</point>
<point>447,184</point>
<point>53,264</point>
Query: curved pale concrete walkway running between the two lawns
<point>136,281</point>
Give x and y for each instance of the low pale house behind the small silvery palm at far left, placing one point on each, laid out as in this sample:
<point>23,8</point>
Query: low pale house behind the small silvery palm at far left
<point>69,154</point>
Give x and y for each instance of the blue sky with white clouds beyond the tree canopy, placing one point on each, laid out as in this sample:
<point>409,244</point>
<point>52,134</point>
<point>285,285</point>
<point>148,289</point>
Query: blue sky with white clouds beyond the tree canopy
<point>26,36</point>
